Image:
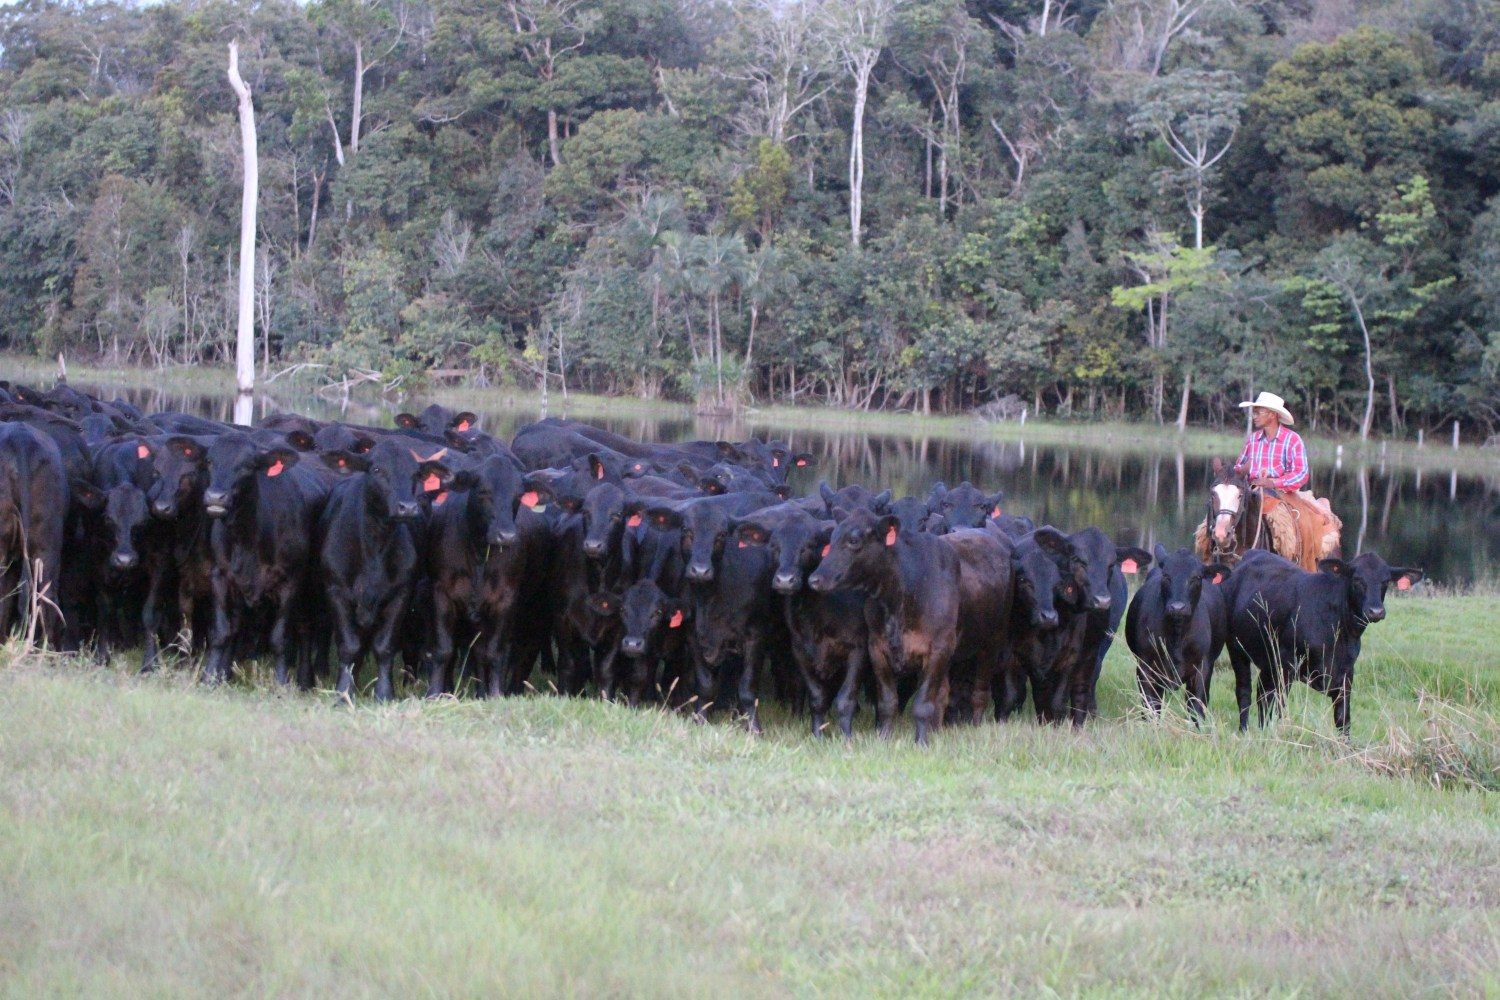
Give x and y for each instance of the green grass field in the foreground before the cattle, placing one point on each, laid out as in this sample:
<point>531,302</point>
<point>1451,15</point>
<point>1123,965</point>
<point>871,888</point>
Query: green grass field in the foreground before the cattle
<point>158,839</point>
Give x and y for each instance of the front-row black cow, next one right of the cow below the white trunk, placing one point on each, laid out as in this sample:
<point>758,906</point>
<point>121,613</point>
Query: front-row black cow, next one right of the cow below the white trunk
<point>370,552</point>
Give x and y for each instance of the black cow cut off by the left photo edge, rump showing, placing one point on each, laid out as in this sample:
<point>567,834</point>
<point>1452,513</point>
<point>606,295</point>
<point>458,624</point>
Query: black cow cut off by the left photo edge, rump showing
<point>34,503</point>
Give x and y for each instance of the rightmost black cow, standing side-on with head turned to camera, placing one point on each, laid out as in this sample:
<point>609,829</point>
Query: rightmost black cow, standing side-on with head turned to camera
<point>1307,626</point>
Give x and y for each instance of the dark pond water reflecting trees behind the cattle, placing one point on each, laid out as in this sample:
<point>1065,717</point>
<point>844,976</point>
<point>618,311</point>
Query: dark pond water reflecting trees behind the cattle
<point>1447,522</point>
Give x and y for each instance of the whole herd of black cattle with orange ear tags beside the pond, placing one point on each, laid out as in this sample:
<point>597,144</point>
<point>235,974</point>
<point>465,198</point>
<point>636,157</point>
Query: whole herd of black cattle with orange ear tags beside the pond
<point>688,573</point>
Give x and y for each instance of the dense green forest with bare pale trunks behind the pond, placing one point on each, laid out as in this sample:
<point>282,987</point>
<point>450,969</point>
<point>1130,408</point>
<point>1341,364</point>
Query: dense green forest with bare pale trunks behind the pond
<point>1091,208</point>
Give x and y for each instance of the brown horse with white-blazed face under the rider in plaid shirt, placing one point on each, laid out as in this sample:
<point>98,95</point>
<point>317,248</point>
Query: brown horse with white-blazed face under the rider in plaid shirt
<point>1243,518</point>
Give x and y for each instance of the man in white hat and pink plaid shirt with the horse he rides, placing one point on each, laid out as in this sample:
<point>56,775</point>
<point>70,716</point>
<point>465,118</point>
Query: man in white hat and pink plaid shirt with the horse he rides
<point>1274,470</point>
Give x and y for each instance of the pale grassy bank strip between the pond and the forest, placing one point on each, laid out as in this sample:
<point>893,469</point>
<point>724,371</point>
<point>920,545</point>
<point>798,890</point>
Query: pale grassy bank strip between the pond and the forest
<point>1138,437</point>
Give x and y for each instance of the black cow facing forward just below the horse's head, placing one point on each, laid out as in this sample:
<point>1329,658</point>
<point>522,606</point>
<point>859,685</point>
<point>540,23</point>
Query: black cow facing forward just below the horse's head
<point>1177,627</point>
